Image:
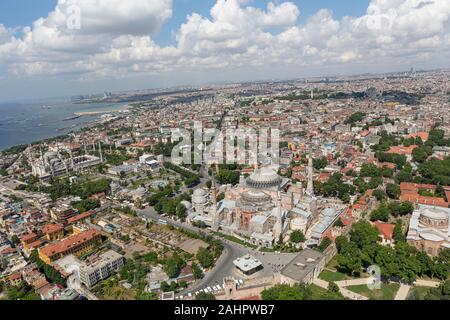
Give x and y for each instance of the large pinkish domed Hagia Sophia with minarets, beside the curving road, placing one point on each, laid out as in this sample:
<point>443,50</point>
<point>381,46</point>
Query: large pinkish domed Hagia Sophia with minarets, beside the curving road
<point>265,208</point>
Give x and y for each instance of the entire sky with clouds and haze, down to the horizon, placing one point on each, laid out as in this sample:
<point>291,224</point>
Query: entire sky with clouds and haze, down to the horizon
<point>171,43</point>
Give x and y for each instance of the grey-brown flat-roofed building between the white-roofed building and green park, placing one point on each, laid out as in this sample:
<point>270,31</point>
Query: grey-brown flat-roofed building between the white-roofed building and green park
<point>306,266</point>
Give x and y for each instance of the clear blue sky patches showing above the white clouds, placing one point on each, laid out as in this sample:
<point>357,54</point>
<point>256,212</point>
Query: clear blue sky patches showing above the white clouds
<point>18,13</point>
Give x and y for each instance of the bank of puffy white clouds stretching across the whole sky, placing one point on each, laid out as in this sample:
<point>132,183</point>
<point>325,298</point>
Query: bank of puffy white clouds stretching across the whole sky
<point>116,37</point>
